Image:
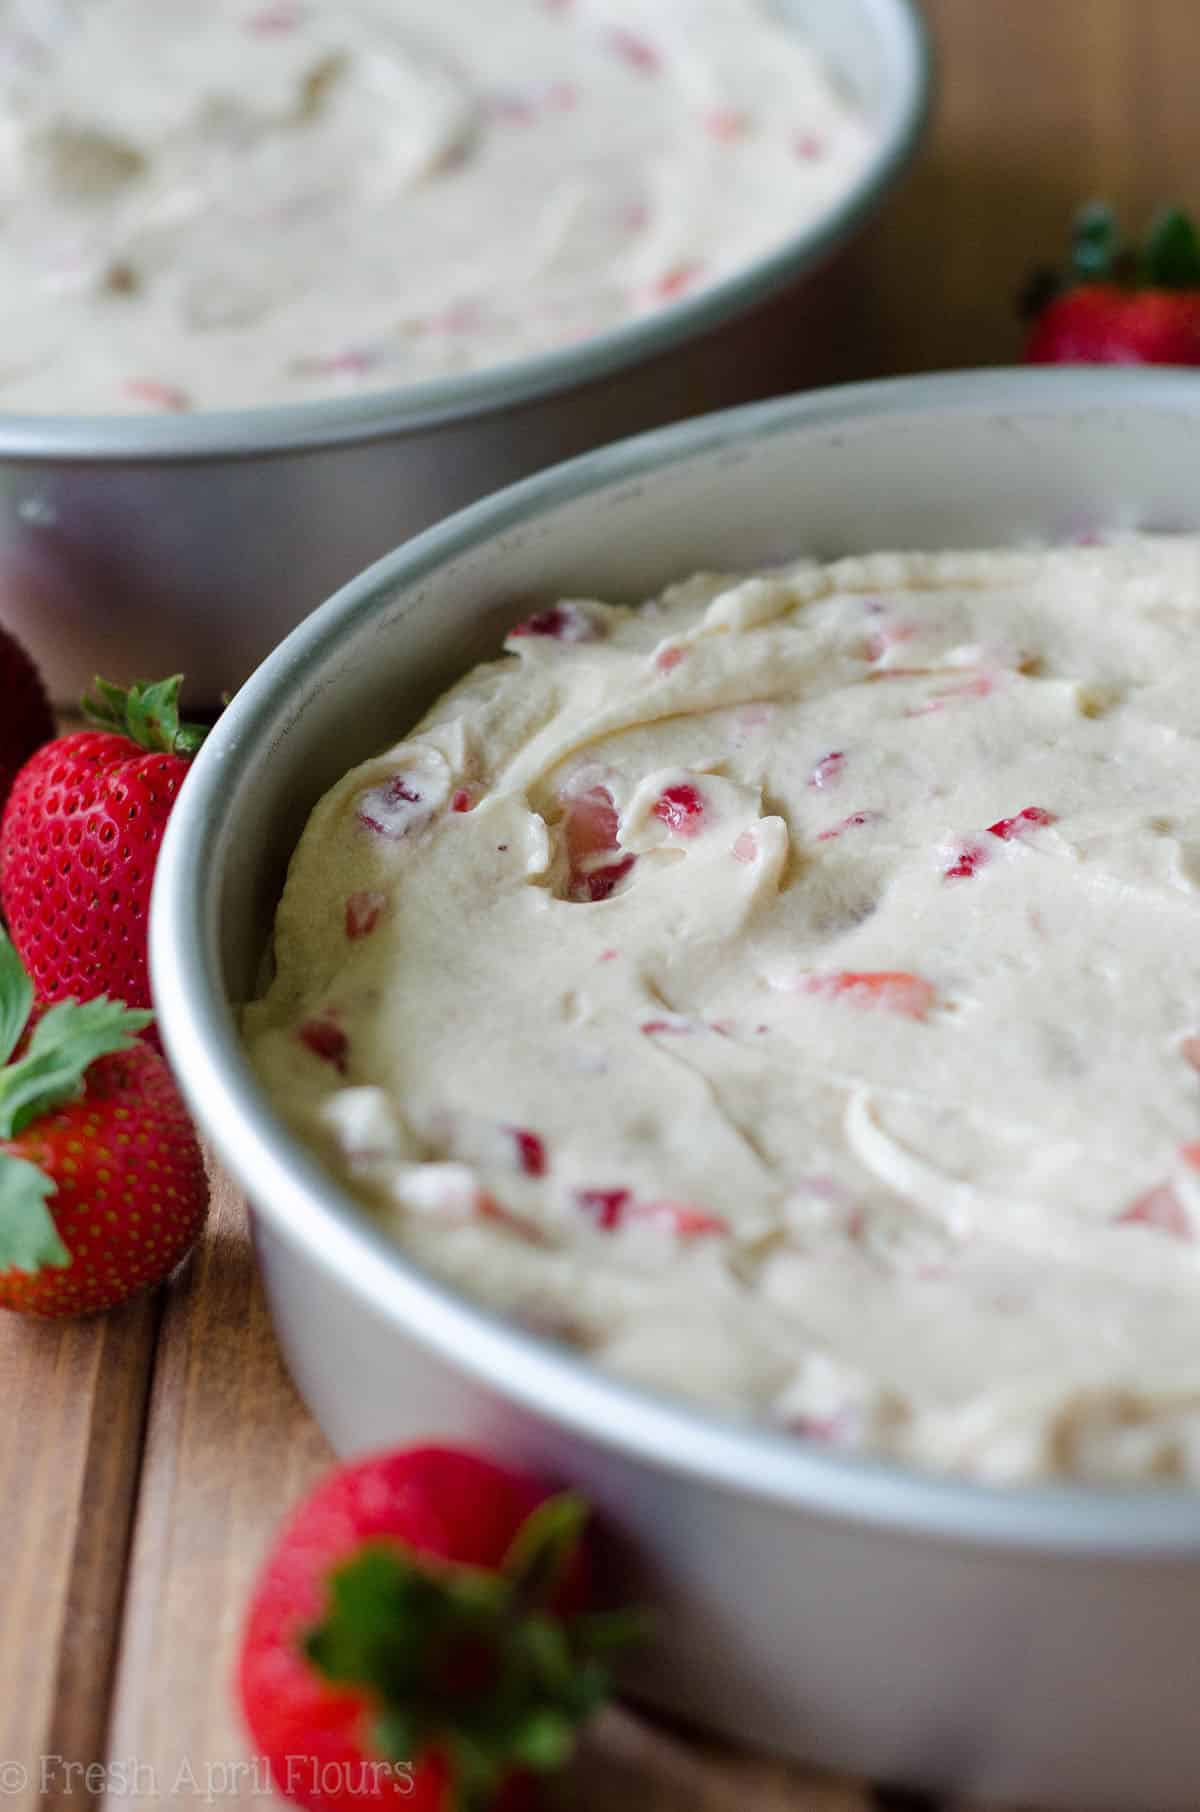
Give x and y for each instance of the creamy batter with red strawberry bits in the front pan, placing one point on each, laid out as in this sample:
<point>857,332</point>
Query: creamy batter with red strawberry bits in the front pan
<point>789,996</point>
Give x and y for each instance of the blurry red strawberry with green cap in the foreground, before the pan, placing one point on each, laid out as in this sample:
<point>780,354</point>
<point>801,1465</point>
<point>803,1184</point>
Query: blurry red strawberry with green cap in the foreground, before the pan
<point>418,1639</point>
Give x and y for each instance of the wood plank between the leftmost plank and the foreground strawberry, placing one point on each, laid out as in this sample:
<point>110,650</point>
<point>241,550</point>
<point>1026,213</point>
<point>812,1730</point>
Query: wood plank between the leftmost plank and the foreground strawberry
<point>229,1451</point>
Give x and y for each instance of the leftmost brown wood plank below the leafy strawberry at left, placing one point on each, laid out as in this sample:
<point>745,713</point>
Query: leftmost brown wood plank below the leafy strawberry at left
<point>75,1400</point>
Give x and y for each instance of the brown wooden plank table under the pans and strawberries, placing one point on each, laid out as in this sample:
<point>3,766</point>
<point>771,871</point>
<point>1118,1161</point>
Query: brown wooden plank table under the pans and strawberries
<point>146,1456</point>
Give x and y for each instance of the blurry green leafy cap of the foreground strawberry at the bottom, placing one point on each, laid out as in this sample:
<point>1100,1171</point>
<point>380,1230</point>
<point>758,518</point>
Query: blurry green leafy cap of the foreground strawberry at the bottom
<point>469,1664</point>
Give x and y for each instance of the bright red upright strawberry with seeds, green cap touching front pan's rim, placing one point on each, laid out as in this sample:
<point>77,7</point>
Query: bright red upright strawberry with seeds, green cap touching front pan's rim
<point>81,838</point>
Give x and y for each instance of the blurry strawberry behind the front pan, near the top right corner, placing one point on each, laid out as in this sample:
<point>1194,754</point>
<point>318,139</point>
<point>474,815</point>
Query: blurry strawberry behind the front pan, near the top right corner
<point>1121,304</point>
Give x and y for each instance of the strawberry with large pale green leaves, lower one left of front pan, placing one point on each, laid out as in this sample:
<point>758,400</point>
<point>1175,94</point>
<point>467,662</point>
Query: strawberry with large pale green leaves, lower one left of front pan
<point>102,1184</point>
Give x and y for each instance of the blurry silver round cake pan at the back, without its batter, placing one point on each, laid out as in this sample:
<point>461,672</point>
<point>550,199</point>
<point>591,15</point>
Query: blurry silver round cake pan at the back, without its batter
<point>142,546</point>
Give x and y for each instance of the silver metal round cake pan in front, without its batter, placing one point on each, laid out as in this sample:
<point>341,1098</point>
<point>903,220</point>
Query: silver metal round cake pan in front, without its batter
<point>1025,1646</point>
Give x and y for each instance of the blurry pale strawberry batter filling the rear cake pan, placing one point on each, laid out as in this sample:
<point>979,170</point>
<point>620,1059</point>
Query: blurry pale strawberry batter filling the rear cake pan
<point>213,204</point>
